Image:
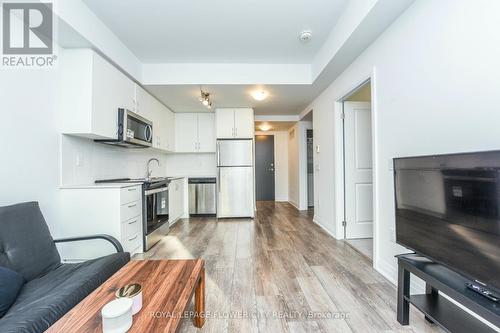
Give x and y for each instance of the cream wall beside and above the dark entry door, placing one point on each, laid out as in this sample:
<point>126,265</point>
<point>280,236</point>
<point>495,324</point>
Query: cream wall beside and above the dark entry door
<point>280,163</point>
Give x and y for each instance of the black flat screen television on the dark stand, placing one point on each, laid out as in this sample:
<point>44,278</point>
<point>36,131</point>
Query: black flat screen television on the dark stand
<point>448,209</point>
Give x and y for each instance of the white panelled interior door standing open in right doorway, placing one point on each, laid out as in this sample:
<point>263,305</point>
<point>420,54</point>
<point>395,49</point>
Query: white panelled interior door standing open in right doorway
<point>358,170</point>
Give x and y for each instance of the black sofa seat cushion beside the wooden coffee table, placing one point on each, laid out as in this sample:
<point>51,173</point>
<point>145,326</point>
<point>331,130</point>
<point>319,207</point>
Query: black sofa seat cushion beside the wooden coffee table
<point>44,300</point>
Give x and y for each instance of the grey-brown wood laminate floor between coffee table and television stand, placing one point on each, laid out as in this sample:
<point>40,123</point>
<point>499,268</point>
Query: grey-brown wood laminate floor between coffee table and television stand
<point>282,273</point>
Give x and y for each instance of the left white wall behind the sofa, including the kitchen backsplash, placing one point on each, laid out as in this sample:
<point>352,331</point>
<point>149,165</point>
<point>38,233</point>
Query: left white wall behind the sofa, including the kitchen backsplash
<point>31,164</point>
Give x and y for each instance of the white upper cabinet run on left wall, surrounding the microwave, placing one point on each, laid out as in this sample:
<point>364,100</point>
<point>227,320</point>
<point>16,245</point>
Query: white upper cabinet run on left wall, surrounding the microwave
<point>92,91</point>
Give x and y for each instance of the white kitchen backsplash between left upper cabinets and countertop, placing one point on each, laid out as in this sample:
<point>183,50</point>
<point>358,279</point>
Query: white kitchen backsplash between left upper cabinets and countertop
<point>84,161</point>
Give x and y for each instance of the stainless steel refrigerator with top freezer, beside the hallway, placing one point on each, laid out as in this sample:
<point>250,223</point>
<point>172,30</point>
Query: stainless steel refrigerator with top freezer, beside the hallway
<point>235,178</point>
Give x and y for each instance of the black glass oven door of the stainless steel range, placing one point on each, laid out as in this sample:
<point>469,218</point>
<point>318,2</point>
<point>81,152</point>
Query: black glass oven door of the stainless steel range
<point>156,208</point>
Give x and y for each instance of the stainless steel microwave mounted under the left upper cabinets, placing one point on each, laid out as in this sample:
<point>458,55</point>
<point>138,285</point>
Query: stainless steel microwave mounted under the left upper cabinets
<point>134,131</point>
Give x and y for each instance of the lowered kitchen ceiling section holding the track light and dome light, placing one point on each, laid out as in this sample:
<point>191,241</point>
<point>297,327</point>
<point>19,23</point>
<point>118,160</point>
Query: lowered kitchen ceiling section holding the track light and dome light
<point>282,99</point>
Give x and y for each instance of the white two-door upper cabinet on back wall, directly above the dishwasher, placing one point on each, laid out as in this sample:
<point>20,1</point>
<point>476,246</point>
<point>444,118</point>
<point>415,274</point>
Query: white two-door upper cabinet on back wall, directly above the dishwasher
<point>195,132</point>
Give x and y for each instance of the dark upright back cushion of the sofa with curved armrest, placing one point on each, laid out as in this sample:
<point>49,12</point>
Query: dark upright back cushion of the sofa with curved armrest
<point>26,245</point>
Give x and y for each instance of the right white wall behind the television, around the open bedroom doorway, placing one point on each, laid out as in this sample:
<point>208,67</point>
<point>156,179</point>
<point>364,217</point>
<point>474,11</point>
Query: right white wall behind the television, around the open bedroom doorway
<point>435,90</point>
